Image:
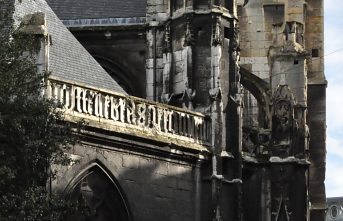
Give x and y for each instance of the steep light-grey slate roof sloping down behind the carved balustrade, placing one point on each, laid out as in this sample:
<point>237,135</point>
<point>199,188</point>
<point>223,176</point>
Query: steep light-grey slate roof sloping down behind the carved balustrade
<point>68,59</point>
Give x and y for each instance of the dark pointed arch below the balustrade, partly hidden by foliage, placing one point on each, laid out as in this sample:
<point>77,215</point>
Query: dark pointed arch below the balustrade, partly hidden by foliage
<point>102,193</point>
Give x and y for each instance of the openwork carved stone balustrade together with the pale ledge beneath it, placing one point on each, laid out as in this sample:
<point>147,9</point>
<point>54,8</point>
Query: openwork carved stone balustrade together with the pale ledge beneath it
<point>131,115</point>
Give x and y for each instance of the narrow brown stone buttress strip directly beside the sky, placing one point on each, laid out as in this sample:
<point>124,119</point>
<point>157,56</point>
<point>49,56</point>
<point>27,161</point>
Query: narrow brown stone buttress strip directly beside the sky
<point>314,41</point>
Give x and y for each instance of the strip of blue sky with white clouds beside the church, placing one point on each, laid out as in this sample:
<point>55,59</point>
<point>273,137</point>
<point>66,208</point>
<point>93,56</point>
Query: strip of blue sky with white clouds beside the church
<point>333,70</point>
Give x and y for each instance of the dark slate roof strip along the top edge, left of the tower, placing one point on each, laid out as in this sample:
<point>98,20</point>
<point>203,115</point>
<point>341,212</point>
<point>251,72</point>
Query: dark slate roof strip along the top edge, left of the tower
<point>85,9</point>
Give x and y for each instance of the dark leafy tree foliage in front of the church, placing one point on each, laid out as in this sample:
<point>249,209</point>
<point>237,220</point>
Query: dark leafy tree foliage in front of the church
<point>33,133</point>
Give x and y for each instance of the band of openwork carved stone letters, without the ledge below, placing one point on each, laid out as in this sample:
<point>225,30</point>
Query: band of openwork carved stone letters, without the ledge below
<point>130,110</point>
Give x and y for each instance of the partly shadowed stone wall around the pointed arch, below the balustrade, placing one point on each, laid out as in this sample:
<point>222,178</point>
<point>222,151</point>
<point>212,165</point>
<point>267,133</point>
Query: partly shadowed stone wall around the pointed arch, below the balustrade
<point>155,188</point>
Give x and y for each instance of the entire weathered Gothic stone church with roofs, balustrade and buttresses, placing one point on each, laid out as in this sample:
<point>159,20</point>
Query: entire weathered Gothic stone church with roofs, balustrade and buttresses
<point>195,109</point>
